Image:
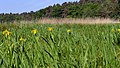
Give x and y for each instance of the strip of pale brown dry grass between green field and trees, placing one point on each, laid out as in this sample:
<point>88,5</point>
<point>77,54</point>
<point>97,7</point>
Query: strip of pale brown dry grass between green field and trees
<point>74,21</point>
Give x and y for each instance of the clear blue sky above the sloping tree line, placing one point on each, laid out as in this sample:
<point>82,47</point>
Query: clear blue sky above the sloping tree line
<point>19,6</point>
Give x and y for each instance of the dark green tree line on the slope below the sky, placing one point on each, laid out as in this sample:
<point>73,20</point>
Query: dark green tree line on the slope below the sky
<point>81,9</point>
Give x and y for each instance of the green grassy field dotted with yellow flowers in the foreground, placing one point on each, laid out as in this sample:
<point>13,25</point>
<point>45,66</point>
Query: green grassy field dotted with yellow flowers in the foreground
<point>59,46</point>
